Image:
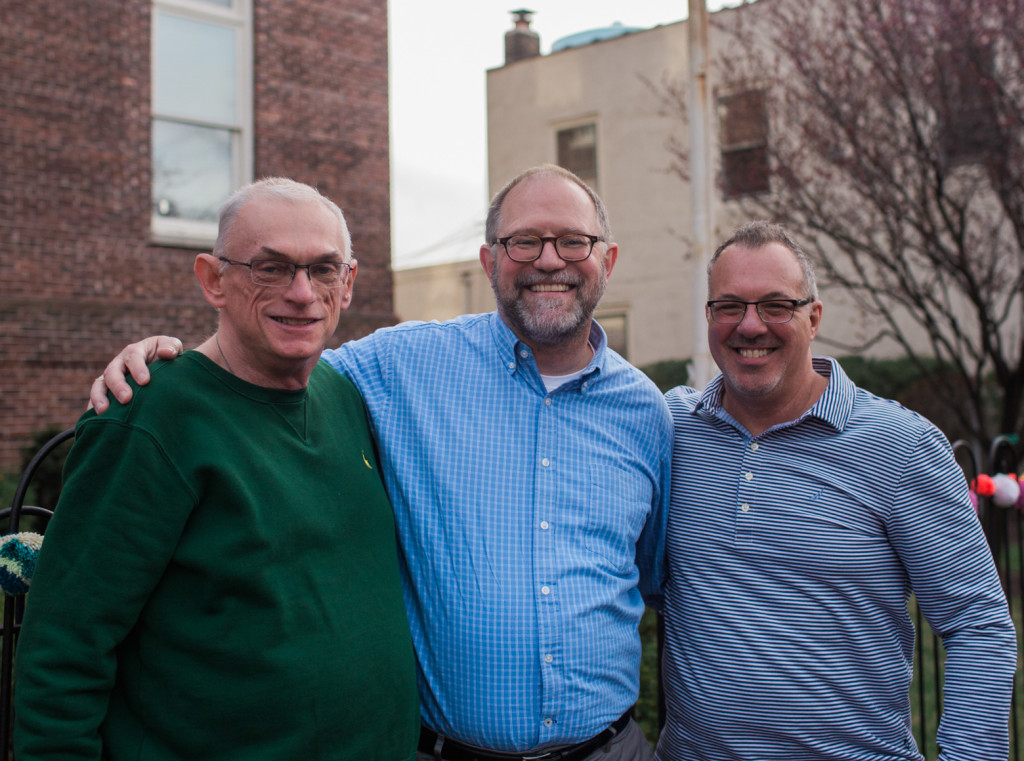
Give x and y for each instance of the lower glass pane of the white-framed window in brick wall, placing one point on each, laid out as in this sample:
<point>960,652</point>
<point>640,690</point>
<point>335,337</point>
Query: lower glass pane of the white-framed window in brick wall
<point>192,171</point>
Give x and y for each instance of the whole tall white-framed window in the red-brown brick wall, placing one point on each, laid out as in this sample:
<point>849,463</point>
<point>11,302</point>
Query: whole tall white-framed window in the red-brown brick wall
<point>202,131</point>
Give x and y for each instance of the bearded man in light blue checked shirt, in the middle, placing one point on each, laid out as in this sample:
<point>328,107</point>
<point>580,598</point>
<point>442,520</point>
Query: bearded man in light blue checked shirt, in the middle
<point>529,469</point>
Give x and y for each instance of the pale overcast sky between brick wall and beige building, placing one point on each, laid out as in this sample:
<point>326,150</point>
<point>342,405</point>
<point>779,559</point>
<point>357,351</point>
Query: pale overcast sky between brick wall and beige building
<point>439,58</point>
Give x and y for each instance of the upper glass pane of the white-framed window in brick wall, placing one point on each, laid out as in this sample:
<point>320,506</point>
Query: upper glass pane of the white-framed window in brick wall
<point>195,70</point>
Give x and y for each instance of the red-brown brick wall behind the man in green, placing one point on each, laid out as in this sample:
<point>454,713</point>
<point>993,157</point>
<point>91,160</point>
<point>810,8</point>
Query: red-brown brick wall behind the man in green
<point>78,279</point>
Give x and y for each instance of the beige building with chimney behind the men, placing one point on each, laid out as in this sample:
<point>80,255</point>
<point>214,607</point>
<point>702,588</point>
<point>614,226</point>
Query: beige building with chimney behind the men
<point>595,108</point>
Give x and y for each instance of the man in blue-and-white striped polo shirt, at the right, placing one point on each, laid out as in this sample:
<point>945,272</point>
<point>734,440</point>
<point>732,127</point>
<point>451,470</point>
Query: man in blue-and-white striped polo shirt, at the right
<point>804,513</point>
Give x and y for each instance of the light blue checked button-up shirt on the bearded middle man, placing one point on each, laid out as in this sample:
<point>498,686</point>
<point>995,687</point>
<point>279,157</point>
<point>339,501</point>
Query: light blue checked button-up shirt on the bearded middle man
<point>530,523</point>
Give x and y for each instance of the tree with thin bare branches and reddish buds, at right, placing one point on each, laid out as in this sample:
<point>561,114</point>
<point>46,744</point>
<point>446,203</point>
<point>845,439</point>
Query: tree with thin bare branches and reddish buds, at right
<point>895,148</point>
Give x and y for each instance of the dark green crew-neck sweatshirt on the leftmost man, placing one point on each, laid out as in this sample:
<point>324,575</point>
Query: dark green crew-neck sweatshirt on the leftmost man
<point>220,581</point>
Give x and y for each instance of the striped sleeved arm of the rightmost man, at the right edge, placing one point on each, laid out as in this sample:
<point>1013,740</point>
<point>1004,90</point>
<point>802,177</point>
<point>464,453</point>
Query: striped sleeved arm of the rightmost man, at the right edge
<point>944,548</point>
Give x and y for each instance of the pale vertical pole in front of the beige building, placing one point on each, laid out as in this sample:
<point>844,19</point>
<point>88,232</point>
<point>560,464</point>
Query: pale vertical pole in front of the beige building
<point>701,185</point>
